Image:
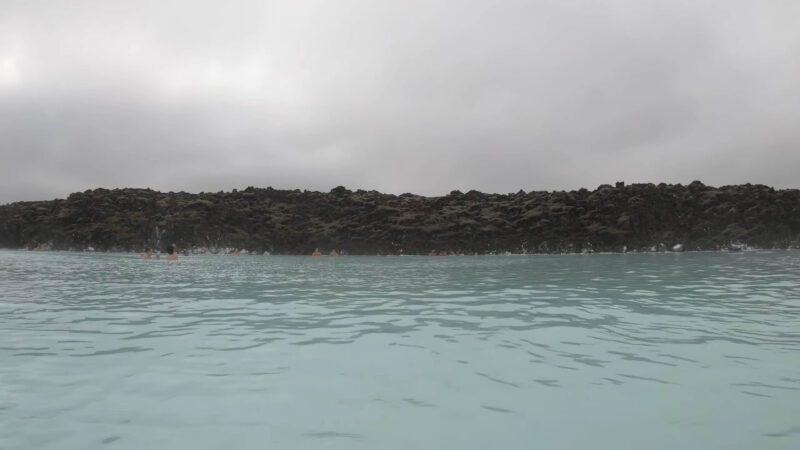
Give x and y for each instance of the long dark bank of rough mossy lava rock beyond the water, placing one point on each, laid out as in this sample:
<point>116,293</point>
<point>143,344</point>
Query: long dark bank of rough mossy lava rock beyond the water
<point>637,217</point>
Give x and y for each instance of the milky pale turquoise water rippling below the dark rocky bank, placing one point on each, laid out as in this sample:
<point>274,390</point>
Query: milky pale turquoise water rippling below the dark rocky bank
<point>648,351</point>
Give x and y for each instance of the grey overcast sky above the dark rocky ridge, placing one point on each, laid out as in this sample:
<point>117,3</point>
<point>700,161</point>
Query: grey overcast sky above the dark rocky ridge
<point>417,96</point>
